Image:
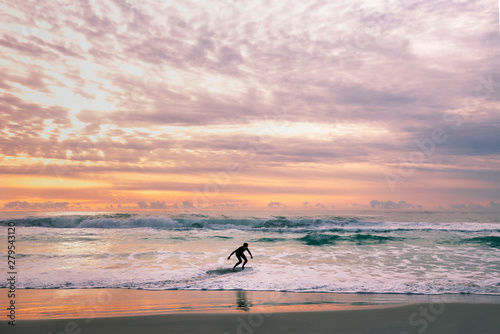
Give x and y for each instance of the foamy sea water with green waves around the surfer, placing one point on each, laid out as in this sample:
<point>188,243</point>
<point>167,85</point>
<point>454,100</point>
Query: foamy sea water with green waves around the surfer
<point>349,252</point>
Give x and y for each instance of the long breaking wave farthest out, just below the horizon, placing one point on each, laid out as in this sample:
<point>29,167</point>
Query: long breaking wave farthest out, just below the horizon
<point>277,223</point>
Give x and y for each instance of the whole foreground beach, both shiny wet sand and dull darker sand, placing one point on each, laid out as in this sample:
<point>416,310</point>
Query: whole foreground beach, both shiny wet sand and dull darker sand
<point>133,311</point>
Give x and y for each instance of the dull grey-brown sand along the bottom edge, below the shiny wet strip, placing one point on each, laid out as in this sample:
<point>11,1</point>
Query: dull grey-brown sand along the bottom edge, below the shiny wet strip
<point>447,318</point>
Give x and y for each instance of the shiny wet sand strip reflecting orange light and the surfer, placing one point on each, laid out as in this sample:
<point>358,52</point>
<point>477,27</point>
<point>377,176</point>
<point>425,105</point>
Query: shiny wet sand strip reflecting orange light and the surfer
<point>38,304</point>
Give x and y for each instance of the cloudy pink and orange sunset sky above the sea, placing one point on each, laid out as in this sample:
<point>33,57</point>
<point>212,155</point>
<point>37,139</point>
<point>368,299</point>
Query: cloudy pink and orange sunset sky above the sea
<point>310,103</point>
